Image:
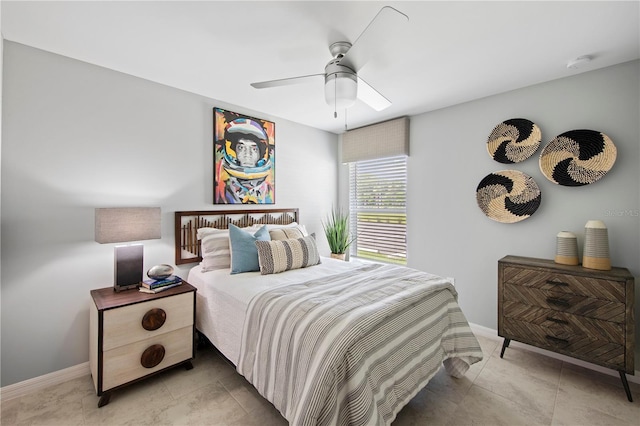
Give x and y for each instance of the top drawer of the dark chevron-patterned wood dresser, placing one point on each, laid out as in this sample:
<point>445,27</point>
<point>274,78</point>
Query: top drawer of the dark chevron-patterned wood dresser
<point>598,288</point>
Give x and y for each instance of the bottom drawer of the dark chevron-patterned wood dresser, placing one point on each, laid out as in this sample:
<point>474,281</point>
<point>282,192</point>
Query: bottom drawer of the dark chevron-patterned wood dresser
<point>582,346</point>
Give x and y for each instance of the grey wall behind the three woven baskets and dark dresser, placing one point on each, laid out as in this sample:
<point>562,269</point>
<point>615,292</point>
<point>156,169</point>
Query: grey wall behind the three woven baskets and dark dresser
<point>449,235</point>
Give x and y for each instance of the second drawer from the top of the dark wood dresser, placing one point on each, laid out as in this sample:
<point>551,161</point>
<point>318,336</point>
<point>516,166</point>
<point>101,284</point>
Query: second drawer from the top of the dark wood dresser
<point>565,302</point>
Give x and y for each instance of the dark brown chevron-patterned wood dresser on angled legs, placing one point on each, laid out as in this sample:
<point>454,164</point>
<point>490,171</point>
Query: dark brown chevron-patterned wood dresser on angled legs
<point>583,313</point>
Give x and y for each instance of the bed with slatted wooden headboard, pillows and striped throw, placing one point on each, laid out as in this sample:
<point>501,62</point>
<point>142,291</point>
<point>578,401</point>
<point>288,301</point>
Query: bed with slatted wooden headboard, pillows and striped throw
<point>329,342</point>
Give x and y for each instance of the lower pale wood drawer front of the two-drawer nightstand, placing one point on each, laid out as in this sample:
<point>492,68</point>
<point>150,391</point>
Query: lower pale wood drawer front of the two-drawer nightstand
<point>123,364</point>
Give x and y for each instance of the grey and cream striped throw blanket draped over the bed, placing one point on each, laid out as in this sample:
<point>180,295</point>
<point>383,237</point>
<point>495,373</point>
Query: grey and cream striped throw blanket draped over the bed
<point>354,348</point>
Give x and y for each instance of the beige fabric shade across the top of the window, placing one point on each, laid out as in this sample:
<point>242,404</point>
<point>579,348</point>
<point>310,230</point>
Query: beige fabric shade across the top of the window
<point>386,139</point>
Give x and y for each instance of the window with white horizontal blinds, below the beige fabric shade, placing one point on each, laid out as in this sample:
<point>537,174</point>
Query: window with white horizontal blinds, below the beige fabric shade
<point>377,209</point>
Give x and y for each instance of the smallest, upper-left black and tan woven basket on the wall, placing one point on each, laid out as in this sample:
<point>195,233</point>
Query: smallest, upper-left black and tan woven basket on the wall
<point>514,140</point>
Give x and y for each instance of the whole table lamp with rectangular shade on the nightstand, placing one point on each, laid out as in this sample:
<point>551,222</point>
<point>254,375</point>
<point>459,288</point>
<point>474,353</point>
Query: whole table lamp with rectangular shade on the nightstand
<point>127,224</point>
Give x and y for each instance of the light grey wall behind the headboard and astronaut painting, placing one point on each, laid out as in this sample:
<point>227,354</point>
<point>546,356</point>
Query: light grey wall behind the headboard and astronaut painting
<point>76,137</point>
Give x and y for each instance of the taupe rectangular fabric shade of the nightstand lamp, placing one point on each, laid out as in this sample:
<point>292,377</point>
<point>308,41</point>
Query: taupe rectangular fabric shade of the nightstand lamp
<point>117,225</point>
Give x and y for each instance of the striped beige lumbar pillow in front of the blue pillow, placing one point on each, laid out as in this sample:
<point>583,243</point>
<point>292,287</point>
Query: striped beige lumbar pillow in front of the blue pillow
<point>283,255</point>
